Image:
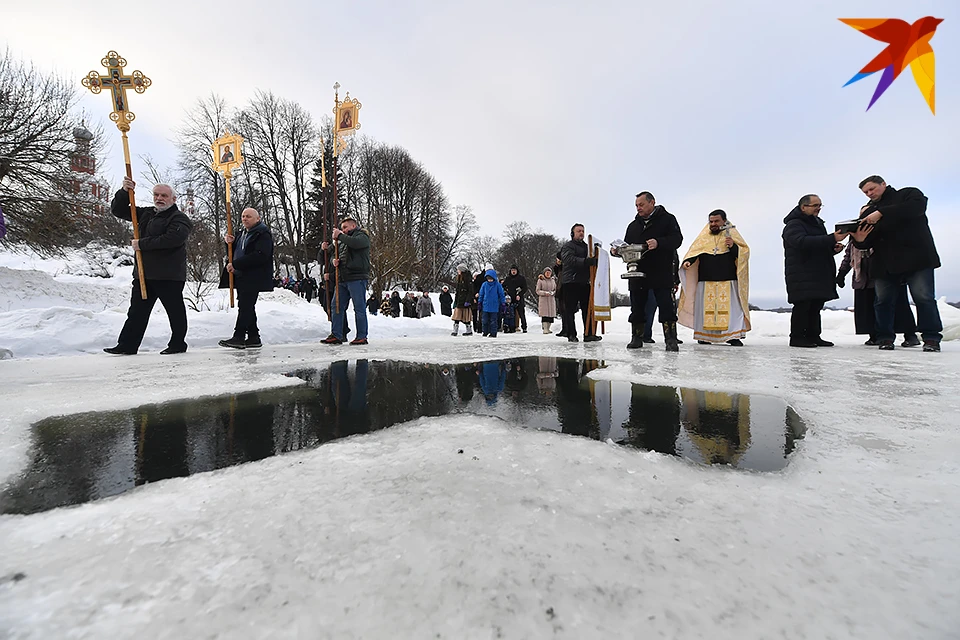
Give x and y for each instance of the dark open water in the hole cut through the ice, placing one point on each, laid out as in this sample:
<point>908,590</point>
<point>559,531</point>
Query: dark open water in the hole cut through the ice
<point>88,456</point>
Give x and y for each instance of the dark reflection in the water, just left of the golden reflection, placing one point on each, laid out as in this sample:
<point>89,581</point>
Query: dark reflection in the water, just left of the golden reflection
<point>654,421</point>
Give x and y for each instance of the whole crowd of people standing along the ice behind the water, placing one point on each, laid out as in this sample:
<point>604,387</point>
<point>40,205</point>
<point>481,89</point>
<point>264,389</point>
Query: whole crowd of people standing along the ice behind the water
<point>890,251</point>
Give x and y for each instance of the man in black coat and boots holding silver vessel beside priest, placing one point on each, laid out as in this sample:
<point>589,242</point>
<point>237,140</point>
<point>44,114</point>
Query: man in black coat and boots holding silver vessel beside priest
<point>657,228</point>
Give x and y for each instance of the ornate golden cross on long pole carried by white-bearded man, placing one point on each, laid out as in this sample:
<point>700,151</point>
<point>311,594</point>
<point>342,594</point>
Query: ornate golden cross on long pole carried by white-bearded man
<point>119,83</point>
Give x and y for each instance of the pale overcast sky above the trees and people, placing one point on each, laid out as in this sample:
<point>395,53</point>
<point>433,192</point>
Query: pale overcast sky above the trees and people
<point>559,112</point>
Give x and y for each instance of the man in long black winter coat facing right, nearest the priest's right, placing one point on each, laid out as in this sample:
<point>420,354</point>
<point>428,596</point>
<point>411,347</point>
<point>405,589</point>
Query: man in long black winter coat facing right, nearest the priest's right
<point>809,269</point>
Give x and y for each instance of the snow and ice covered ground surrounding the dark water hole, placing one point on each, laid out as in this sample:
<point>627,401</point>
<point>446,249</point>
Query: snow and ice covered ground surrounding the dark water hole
<point>529,535</point>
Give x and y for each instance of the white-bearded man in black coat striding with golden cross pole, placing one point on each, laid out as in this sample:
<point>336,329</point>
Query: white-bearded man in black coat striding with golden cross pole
<point>163,248</point>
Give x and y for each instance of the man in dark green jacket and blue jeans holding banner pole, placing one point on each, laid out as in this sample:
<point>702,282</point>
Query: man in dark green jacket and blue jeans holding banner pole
<point>351,270</point>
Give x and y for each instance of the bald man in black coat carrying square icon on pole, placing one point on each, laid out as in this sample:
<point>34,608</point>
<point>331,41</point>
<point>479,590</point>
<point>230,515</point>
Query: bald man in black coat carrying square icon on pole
<point>251,268</point>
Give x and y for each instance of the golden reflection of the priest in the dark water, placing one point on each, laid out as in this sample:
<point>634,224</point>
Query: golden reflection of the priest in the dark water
<point>718,424</point>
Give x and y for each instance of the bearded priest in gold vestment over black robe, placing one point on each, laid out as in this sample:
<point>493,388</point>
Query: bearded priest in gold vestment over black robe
<point>716,282</point>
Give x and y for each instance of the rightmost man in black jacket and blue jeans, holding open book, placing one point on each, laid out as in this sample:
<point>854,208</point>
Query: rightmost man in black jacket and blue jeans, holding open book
<point>894,223</point>
